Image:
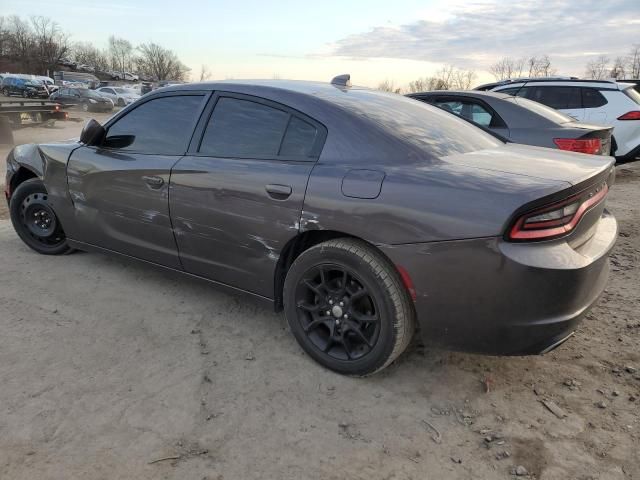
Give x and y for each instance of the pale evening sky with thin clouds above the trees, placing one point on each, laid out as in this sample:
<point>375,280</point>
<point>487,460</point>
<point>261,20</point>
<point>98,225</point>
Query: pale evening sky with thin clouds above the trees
<point>373,40</point>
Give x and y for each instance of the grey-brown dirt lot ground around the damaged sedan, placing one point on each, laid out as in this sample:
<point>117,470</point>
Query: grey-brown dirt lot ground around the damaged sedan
<point>113,370</point>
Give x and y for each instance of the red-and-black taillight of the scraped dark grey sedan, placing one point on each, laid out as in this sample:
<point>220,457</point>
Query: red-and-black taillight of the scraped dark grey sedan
<point>558,219</point>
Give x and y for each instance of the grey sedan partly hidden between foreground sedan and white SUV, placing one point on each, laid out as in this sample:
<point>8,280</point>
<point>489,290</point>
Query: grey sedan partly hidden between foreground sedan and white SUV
<point>522,121</point>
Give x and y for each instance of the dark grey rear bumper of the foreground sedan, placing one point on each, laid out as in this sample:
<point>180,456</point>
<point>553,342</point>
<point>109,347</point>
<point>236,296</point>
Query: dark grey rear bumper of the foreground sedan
<point>494,297</point>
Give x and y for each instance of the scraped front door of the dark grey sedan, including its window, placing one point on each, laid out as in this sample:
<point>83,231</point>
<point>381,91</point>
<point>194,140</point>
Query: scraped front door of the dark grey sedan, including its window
<point>120,188</point>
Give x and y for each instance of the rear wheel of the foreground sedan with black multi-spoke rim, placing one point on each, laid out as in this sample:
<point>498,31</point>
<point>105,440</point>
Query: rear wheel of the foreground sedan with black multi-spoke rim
<point>357,333</point>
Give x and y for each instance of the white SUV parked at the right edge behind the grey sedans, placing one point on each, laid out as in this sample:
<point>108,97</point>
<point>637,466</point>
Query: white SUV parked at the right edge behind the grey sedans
<point>595,101</point>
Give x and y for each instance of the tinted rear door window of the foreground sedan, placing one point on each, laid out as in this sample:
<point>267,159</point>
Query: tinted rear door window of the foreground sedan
<point>242,128</point>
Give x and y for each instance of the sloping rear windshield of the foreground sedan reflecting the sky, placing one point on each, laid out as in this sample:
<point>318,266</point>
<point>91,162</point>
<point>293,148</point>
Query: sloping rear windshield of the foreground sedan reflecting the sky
<point>429,128</point>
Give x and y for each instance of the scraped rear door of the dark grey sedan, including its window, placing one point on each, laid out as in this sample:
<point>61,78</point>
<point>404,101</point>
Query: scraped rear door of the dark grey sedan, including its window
<point>236,198</point>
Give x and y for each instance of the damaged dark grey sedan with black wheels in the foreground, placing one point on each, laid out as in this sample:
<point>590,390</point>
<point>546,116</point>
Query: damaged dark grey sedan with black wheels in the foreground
<point>358,212</point>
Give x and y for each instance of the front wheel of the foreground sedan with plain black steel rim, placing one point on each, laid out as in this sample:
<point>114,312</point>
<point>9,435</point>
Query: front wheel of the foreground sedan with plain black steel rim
<point>34,220</point>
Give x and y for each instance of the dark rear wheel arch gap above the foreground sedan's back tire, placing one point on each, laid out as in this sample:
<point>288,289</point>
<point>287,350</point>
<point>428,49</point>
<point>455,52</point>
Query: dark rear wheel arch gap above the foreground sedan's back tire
<point>304,241</point>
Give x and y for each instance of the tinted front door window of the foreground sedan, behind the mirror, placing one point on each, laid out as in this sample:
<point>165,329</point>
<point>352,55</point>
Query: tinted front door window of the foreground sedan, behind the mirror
<point>162,125</point>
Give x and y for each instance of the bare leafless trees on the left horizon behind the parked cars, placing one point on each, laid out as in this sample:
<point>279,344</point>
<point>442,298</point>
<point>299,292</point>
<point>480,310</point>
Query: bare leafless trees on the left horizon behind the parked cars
<point>38,45</point>
